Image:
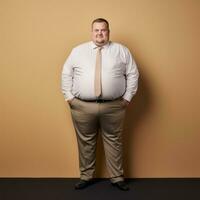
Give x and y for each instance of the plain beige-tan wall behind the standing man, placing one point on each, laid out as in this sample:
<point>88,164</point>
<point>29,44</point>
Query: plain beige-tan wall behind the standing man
<point>162,129</point>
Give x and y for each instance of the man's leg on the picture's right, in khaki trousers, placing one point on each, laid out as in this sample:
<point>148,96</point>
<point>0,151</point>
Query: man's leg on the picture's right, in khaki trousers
<point>111,123</point>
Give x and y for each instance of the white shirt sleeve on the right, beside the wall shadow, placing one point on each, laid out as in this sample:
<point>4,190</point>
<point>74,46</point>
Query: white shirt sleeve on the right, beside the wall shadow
<point>132,76</point>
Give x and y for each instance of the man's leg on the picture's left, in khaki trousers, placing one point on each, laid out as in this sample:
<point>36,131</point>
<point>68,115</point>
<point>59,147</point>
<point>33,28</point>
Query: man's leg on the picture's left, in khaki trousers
<point>84,116</point>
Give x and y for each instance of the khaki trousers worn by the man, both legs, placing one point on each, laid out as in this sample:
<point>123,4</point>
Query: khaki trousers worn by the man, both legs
<point>90,117</point>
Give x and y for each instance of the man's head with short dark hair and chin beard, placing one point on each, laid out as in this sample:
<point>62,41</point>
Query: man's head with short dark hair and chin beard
<point>100,31</point>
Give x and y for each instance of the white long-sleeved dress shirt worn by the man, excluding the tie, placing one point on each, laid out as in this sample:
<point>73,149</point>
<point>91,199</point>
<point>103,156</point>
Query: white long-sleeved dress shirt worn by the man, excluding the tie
<point>119,72</point>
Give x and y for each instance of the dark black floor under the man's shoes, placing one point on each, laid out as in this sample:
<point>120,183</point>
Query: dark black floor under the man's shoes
<point>63,189</point>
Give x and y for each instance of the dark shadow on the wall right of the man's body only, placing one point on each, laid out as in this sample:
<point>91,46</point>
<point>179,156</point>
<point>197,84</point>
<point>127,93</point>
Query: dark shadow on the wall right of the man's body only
<point>140,106</point>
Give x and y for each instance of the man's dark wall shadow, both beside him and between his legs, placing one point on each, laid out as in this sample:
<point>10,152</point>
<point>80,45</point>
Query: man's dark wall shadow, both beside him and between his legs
<point>140,105</point>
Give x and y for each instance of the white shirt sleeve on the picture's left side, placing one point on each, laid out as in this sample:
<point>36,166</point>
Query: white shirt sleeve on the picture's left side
<point>67,77</point>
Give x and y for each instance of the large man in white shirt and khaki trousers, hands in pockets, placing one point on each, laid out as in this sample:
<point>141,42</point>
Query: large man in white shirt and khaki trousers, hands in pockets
<point>99,79</point>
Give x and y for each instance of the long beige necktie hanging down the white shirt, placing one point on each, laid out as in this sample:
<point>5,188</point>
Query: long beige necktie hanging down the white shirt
<point>97,84</point>
